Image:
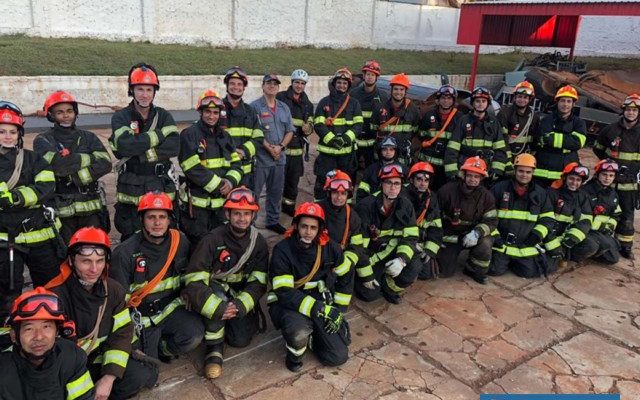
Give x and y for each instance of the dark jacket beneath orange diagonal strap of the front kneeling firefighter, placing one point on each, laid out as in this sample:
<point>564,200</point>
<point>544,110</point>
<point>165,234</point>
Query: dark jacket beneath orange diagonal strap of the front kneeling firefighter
<point>136,261</point>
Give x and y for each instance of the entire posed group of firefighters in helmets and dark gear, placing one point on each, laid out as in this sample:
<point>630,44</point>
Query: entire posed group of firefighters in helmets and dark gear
<point>399,196</point>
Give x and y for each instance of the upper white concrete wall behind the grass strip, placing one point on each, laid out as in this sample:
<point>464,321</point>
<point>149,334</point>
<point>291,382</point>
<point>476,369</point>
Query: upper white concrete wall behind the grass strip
<point>272,23</point>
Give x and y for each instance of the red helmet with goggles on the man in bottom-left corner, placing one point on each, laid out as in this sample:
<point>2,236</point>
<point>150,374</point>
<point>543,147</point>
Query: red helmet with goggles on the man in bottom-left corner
<point>38,304</point>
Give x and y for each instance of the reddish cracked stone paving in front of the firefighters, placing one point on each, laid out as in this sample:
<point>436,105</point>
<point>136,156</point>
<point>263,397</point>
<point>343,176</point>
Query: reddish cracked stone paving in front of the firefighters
<point>450,339</point>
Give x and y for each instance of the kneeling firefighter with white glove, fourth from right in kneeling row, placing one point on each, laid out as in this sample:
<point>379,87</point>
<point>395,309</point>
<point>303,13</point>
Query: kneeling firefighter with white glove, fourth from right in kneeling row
<point>469,216</point>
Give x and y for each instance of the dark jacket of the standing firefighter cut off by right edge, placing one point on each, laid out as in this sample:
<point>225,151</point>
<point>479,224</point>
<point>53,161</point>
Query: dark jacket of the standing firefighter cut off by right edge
<point>623,145</point>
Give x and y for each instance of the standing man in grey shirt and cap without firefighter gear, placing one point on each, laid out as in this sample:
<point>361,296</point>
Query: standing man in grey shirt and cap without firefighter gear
<point>277,125</point>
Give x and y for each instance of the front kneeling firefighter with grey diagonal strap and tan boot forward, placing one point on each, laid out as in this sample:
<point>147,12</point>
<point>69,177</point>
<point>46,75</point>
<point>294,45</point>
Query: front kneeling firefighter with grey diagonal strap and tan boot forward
<point>226,278</point>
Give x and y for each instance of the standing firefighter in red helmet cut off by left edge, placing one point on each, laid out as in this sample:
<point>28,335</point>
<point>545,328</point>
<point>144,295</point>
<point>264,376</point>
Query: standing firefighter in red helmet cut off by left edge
<point>26,235</point>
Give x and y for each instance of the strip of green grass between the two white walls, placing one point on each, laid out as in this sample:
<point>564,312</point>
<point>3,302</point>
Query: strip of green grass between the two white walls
<point>31,56</point>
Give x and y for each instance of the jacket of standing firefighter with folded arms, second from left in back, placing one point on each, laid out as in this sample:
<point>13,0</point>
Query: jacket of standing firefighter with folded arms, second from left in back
<point>77,173</point>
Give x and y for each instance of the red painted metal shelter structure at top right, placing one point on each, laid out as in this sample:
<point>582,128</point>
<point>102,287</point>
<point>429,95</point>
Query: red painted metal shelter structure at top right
<point>537,23</point>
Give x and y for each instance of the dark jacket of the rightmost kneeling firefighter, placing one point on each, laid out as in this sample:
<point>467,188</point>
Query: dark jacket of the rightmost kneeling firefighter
<point>604,206</point>
